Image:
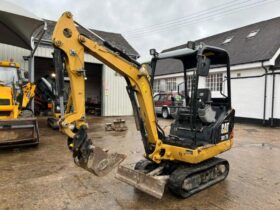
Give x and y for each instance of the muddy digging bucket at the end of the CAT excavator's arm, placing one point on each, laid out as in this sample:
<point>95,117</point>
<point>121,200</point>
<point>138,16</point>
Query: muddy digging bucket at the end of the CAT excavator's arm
<point>101,163</point>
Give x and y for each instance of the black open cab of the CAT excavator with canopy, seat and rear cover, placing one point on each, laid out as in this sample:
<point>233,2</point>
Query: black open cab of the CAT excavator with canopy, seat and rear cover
<point>207,104</point>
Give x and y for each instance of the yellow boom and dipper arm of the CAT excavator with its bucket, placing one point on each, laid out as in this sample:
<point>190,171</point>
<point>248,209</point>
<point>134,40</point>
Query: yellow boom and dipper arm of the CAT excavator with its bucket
<point>72,45</point>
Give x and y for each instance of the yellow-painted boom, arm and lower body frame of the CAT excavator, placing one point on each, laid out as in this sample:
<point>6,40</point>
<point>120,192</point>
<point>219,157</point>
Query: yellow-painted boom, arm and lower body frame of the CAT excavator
<point>67,38</point>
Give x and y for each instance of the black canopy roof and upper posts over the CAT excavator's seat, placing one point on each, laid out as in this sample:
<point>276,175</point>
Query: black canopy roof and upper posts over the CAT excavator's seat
<point>198,62</point>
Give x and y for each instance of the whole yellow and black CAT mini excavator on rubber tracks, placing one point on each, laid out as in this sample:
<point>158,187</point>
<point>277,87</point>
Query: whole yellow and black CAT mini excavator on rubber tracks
<point>185,160</point>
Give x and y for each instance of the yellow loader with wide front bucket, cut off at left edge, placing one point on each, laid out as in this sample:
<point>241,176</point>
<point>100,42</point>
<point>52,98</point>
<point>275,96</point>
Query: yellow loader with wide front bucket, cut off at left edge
<point>18,127</point>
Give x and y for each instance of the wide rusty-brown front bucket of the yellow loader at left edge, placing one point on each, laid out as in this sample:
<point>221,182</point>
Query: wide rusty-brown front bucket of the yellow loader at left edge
<point>18,132</point>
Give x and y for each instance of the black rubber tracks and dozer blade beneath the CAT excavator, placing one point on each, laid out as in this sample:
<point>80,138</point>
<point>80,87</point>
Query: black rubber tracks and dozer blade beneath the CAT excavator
<point>183,180</point>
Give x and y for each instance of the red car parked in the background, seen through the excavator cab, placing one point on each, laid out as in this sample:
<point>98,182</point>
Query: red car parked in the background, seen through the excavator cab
<point>166,102</point>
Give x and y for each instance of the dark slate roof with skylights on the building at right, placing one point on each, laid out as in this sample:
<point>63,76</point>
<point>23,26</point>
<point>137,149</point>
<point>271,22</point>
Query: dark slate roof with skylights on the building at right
<point>244,50</point>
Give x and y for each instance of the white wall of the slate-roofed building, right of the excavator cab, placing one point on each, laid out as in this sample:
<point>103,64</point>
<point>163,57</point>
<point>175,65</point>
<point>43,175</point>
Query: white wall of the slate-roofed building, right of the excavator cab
<point>248,95</point>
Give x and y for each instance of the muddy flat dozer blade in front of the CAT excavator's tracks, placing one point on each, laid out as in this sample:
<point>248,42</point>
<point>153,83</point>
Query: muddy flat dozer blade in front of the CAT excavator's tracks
<point>152,185</point>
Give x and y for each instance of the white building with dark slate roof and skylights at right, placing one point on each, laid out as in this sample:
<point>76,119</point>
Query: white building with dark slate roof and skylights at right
<point>255,70</point>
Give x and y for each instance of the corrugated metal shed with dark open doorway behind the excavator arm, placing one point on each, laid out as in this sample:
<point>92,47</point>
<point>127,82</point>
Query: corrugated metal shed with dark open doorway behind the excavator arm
<point>103,85</point>
